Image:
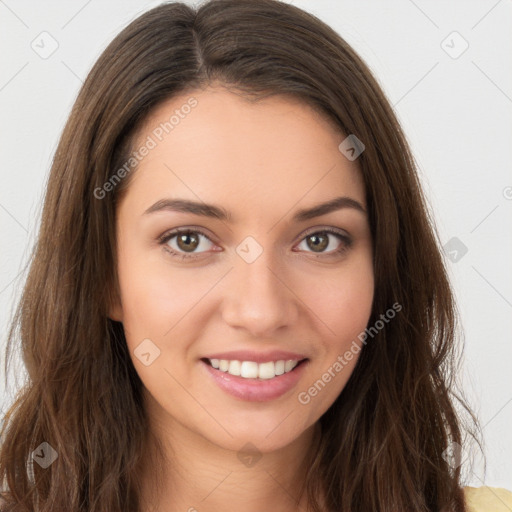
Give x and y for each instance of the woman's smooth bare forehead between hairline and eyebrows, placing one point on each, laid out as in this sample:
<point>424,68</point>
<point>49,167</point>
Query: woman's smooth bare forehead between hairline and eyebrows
<point>276,151</point>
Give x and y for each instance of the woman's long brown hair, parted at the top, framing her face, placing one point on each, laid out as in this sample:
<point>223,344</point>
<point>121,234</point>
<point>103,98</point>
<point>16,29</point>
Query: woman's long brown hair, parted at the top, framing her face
<point>383,440</point>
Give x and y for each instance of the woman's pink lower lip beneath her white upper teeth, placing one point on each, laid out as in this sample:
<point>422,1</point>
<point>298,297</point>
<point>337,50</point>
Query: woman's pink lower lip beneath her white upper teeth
<point>256,390</point>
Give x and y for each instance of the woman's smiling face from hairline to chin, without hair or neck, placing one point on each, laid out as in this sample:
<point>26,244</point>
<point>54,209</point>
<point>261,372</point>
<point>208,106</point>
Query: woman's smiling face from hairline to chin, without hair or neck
<point>255,281</point>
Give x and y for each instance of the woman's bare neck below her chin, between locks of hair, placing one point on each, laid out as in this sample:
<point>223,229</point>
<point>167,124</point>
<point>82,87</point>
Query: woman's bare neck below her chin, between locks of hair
<point>196,475</point>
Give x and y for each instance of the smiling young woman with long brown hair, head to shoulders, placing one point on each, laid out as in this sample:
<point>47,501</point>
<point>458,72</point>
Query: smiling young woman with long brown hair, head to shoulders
<point>237,299</point>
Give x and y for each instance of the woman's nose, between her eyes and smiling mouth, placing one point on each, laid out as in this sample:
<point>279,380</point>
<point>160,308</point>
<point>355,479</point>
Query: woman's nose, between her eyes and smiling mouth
<point>260,300</point>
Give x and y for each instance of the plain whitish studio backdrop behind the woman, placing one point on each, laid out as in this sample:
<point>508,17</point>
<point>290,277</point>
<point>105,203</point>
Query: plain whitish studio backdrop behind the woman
<point>444,67</point>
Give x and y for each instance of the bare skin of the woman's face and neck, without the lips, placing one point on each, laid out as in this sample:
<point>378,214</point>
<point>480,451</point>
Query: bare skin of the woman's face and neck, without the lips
<point>262,162</point>
